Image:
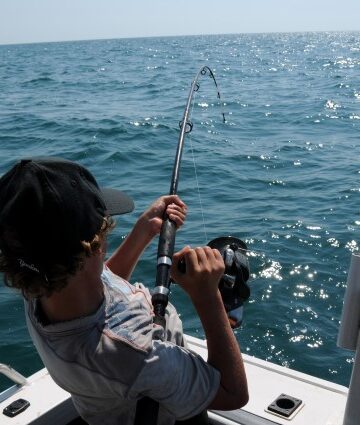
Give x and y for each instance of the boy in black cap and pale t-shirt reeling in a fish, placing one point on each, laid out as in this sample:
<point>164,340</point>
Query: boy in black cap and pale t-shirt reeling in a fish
<point>93,330</point>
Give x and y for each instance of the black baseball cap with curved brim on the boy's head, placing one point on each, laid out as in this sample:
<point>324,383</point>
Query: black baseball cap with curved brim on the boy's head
<point>52,204</point>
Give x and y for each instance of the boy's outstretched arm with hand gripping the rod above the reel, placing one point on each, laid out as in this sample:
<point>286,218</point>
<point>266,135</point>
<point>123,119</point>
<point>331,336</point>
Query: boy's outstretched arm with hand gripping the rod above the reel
<point>125,258</point>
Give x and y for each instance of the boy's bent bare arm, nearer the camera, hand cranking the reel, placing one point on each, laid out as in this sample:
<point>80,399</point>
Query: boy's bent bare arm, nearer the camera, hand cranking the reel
<point>204,268</point>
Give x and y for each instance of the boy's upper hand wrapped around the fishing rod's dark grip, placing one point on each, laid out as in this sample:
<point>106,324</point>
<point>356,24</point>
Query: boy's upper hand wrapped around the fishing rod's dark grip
<point>151,220</point>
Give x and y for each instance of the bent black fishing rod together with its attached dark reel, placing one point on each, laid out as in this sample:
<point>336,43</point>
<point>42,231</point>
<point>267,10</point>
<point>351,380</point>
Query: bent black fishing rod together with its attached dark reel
<point>233,287</point>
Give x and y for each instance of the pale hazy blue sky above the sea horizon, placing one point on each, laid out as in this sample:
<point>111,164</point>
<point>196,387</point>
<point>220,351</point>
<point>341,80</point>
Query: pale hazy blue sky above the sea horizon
<point>26,21</point>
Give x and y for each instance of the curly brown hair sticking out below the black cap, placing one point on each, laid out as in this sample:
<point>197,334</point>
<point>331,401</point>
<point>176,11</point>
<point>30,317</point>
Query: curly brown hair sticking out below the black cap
<point>33,281</point>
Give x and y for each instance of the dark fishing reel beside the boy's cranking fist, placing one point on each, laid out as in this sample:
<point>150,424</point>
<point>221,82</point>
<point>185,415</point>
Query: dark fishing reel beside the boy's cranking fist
<point>233,287</point>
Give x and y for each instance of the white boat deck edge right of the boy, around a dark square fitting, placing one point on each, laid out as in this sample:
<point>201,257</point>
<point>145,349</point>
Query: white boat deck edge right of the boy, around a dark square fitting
<point>323,403</point>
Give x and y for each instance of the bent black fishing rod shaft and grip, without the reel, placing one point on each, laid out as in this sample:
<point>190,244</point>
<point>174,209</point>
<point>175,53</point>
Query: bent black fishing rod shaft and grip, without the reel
<point>166,243</point>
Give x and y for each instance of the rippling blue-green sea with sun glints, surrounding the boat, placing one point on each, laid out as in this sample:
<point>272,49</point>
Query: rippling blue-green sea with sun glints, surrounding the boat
<point>282,173</point>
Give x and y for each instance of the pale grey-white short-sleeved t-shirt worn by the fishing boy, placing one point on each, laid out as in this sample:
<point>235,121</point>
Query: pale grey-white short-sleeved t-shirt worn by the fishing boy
<point>110,359</point>
